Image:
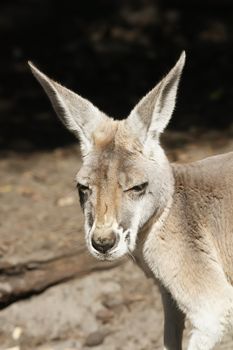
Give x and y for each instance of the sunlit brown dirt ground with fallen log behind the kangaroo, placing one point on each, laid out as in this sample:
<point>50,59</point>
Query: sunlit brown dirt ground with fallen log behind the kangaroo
<point>113,309</point>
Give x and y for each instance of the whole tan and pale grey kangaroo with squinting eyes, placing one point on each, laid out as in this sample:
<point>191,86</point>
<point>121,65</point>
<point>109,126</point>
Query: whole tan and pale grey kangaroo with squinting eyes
<point>175,219</point>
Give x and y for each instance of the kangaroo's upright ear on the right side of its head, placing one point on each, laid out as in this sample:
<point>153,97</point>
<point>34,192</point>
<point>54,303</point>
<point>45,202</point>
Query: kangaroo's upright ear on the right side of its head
<point>152,114</point>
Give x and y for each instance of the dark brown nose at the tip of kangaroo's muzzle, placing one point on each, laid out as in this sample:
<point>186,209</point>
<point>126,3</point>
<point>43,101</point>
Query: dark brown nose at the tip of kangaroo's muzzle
<point>103,242</point>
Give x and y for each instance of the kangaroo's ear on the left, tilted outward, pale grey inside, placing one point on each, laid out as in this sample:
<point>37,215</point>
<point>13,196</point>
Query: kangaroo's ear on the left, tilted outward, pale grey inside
<point>78,114</point>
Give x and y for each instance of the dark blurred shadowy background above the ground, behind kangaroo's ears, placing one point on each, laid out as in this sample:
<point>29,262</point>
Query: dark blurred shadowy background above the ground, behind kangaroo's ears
<point>112,52</point>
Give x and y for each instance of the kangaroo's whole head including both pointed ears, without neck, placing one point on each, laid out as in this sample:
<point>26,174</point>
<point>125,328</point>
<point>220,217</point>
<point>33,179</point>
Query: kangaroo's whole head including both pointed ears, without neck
<point>125,178</point>
